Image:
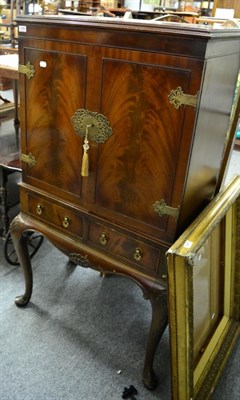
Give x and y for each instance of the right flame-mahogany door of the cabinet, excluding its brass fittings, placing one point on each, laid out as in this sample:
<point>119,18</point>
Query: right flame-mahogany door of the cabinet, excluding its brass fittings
<point>145,159</point>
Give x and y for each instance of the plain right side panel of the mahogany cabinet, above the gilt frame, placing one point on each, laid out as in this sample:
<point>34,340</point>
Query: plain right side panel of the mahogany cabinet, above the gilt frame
<point>219,84</point>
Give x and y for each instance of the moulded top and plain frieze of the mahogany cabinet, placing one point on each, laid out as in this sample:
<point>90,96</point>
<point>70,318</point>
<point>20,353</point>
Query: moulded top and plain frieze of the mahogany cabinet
<point>182,39</point>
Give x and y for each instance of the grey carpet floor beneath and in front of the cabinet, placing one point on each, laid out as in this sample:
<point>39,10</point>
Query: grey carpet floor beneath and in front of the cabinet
<point>77,333</point>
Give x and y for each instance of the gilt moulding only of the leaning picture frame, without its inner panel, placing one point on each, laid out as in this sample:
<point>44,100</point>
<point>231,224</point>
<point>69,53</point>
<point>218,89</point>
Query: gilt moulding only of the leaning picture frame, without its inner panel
<point>185,385</point>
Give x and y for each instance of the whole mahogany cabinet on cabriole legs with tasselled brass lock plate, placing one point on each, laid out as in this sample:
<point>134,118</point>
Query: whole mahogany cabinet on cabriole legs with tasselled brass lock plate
<point>124,138</point>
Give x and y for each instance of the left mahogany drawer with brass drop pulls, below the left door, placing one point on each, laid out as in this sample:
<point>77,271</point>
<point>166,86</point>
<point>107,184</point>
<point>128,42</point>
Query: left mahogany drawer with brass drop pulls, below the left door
<point>55,214</point>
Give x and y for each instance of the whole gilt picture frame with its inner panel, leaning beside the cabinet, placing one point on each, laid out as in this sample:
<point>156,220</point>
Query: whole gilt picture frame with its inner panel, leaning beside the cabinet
<point>204,296</point>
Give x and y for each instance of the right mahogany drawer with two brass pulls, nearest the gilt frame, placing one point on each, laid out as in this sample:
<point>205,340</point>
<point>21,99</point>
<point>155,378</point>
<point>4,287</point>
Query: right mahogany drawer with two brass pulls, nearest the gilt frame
<point>131,250</point>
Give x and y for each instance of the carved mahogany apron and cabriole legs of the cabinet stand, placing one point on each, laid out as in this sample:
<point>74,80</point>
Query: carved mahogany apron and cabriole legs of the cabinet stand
<point>152,289</point>
